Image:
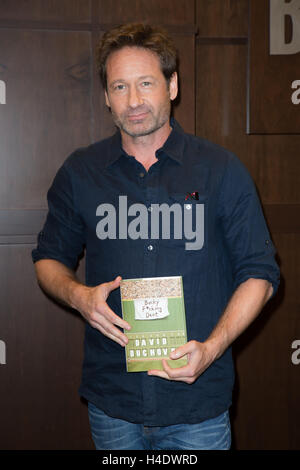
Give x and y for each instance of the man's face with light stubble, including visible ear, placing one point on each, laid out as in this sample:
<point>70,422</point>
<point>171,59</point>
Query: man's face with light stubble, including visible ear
<point>137,91</point>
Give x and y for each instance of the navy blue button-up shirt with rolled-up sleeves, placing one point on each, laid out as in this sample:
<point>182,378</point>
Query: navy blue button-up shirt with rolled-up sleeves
<point>91,207</point>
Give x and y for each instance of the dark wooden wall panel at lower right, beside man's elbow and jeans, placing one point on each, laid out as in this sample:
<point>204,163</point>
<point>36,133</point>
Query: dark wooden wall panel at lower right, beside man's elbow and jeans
<point>267,390</point>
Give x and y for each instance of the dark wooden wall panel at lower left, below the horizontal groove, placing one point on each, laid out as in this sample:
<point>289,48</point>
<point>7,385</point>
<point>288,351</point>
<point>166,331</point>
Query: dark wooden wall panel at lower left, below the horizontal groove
<point>40,407</point>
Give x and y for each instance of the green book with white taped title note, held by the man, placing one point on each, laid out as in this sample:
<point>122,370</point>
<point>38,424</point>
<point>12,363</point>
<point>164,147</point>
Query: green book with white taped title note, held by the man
<point>154,308</point>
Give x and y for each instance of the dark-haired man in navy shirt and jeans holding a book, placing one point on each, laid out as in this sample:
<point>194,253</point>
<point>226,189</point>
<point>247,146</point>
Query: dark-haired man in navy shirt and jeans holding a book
<point>227,278</point>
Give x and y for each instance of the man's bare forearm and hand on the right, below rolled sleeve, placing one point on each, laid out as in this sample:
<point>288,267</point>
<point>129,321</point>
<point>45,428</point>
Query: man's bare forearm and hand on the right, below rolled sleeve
<point>243,307</point>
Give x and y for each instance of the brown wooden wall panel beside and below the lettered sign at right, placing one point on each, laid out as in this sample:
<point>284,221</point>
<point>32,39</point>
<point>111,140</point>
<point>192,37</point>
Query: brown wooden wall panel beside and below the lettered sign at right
<point>221,117</point>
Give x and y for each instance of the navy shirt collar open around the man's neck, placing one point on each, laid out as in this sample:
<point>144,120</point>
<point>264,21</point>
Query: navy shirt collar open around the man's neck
<point>173,147</point>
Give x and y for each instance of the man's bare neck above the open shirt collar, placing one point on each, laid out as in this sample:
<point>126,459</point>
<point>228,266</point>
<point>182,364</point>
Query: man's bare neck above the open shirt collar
<point>143,148</point>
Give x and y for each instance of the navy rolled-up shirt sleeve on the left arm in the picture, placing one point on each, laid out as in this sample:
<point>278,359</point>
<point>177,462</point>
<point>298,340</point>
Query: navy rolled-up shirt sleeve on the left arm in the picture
<point>62,237</point>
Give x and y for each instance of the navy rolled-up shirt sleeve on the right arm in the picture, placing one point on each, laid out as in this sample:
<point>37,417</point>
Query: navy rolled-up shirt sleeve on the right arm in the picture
<point>250,248</point>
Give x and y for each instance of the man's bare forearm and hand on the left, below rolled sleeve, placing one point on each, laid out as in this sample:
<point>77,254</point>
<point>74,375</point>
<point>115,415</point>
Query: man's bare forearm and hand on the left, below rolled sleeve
<point>61,283</point>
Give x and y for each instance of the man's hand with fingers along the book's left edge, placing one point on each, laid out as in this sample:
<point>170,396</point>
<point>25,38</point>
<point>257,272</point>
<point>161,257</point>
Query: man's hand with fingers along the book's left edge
<point>92,305</point>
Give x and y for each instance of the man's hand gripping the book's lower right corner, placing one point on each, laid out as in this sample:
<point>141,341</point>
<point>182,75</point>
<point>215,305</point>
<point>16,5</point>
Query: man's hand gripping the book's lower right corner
<point>199,359</point>
